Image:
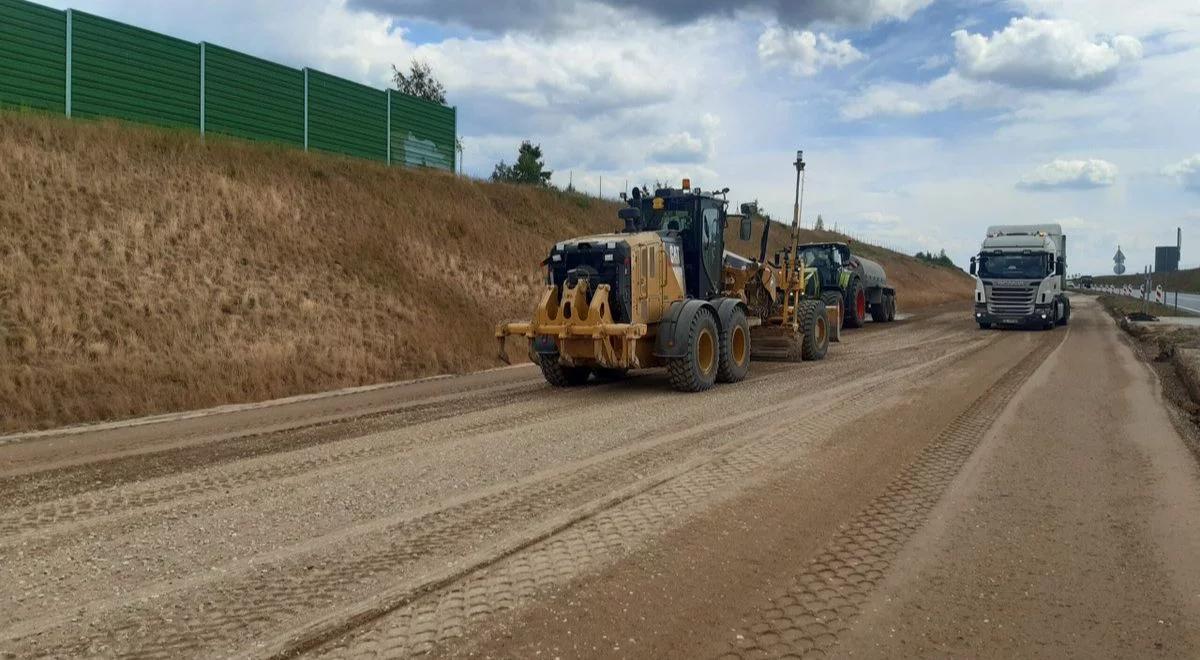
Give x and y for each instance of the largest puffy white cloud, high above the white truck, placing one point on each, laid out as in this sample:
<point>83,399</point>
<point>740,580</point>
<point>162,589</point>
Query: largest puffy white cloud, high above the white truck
<point>1043,53</point>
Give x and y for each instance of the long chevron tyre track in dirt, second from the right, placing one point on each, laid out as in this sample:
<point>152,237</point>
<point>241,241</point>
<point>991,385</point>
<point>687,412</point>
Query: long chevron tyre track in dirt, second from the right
<point>421,625</point>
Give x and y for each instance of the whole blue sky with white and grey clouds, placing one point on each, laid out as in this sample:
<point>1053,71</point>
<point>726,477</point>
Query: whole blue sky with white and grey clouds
<point>922,122</point>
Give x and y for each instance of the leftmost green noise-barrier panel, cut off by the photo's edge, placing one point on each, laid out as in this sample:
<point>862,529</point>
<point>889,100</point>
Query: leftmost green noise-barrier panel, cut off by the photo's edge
<point>33,57</point>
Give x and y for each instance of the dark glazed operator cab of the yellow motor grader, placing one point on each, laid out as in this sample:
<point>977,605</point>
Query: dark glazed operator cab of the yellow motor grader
<point>692,223</point>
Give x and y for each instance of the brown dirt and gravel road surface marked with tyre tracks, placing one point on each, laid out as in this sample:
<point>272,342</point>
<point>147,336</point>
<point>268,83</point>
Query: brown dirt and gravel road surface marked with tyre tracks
<point>919,494</point>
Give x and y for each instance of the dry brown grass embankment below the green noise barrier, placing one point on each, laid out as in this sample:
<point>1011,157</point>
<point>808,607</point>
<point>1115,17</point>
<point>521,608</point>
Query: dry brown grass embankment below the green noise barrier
<point>142,272</point>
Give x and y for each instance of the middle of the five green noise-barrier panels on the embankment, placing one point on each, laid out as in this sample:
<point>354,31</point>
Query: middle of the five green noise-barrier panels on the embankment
<point>253,99</point>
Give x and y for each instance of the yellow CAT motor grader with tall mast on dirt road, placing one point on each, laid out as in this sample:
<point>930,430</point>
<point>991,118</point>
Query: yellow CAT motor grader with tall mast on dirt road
<point>664,293</point>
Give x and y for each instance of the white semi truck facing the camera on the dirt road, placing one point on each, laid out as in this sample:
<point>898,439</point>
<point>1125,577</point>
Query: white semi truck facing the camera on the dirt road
<point>1022,278</point>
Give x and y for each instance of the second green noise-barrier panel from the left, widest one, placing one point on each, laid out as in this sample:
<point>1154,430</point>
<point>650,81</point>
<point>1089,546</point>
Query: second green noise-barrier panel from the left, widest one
<point>131,74</point>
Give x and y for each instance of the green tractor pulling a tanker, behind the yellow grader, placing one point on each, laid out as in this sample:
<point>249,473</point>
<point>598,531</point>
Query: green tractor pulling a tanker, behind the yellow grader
<point>859,285</point>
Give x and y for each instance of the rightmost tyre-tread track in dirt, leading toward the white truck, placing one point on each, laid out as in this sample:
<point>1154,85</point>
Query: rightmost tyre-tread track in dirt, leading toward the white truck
<point>826,597</point>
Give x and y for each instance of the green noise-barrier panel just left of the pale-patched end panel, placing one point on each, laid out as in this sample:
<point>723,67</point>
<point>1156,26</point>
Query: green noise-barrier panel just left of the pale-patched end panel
<point>347,118</point>
